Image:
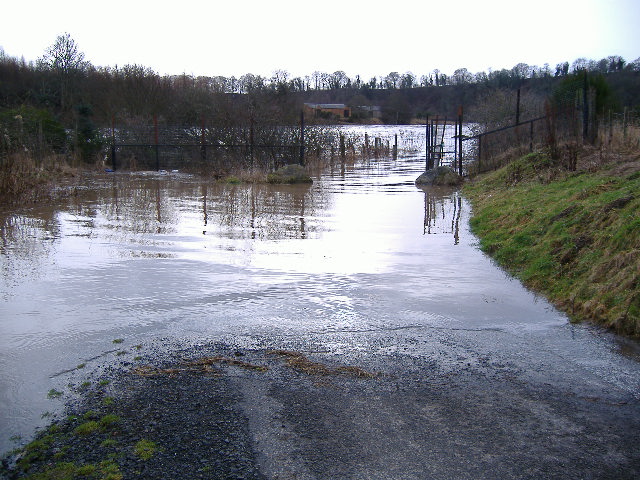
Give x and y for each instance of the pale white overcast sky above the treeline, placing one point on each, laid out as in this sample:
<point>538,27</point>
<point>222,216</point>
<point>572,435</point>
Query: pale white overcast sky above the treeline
<point>366,38</point>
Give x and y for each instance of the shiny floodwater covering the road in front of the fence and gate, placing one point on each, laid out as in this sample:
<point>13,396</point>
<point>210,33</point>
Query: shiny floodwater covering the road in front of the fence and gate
<point>153,257</point>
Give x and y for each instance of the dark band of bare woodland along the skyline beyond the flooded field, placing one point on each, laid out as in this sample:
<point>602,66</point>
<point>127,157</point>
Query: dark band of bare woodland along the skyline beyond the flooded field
<point>62,89</point>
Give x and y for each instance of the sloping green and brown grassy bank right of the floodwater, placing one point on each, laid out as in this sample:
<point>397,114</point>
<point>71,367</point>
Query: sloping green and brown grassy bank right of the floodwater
<point>573,236</point>
